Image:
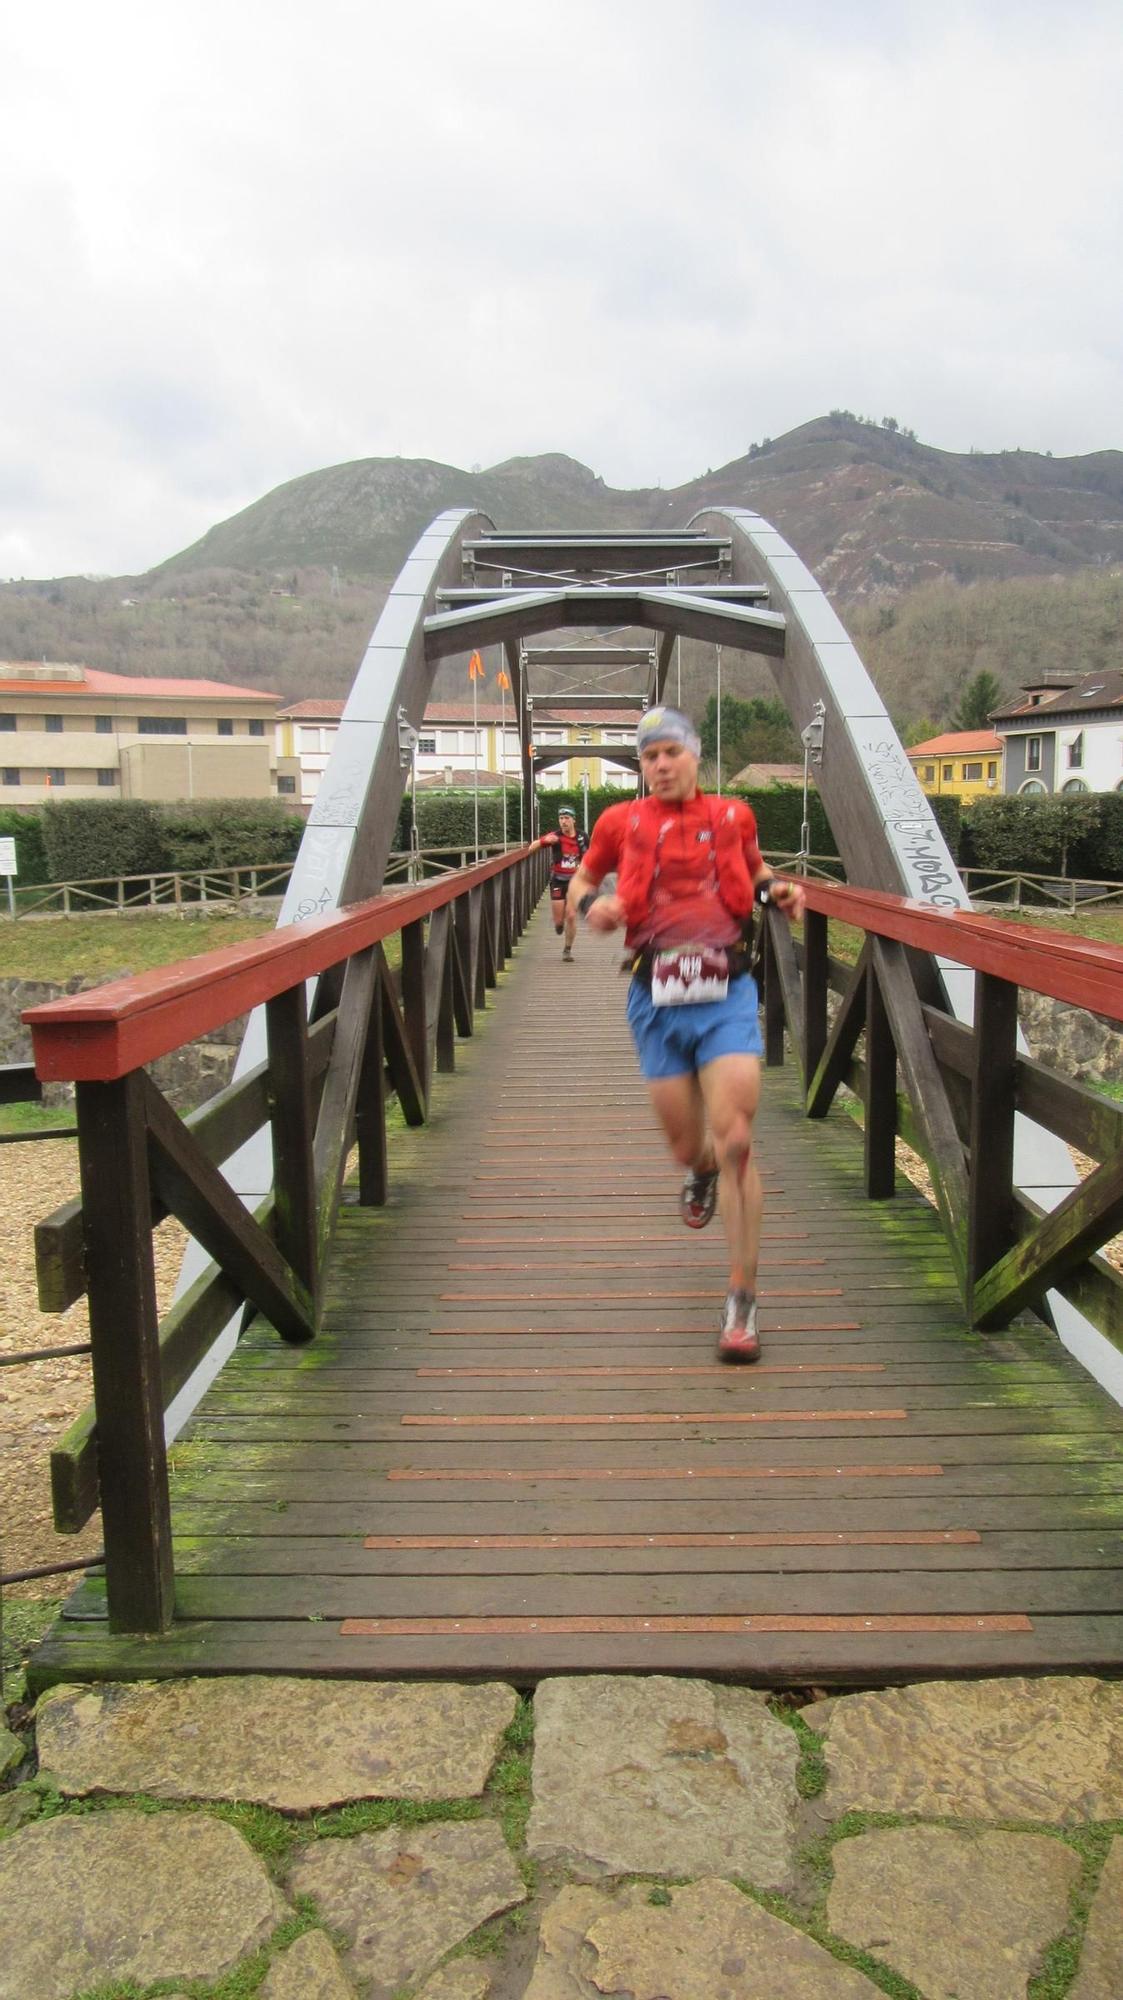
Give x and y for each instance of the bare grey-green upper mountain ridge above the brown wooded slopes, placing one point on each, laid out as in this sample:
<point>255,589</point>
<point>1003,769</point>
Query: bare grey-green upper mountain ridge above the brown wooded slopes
<point>870,509</point>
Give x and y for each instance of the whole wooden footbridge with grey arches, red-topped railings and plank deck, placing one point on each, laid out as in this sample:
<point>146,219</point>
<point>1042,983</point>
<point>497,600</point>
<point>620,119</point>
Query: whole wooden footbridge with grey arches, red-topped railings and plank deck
<point>453,1409</point>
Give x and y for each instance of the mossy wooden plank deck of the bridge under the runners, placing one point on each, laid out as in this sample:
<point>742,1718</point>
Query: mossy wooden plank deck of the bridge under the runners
<point>513,1453</point>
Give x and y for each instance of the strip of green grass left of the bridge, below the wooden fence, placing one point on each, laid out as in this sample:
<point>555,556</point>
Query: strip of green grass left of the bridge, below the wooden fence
<point>103,947</point>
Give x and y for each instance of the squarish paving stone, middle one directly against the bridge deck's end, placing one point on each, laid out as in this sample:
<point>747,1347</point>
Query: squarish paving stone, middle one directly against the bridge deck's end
<point>662,1777</point>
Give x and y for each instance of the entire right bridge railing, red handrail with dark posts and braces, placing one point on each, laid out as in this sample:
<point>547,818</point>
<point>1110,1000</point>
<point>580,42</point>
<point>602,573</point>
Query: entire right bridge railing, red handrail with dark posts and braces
<point>952,1091</point>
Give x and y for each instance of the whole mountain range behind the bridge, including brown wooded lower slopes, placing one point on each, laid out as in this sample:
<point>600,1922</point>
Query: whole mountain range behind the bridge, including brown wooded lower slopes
<point>283,595</point>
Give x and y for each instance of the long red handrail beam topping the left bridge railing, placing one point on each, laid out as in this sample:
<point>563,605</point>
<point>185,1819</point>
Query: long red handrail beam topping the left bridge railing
<point>115,1029</point>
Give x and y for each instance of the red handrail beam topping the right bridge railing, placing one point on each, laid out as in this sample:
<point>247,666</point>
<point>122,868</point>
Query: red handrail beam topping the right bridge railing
<point>1078,971</point>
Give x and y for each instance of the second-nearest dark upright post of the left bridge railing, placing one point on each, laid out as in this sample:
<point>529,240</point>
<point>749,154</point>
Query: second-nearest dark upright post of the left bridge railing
<point>293,1127</point>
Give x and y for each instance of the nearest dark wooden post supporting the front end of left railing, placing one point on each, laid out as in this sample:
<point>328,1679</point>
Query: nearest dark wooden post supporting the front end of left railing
<point>125,1335</point>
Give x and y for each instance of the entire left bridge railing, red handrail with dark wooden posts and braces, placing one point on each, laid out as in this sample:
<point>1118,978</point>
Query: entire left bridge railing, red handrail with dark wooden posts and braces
<point>323,1087</point>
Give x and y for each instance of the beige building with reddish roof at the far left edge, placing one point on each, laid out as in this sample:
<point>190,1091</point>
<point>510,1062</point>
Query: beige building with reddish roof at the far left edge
<point>79,733</point>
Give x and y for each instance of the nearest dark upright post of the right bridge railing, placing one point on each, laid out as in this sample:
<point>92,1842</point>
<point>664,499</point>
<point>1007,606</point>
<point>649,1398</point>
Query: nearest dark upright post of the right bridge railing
<point>990,1197</point>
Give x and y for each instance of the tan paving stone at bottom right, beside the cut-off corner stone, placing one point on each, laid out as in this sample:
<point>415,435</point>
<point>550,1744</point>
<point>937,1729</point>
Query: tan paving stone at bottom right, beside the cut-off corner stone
<point>962,1915</point>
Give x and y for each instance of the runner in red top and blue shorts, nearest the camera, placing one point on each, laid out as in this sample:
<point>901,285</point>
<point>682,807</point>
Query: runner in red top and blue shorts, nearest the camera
<point>688,871</point>
